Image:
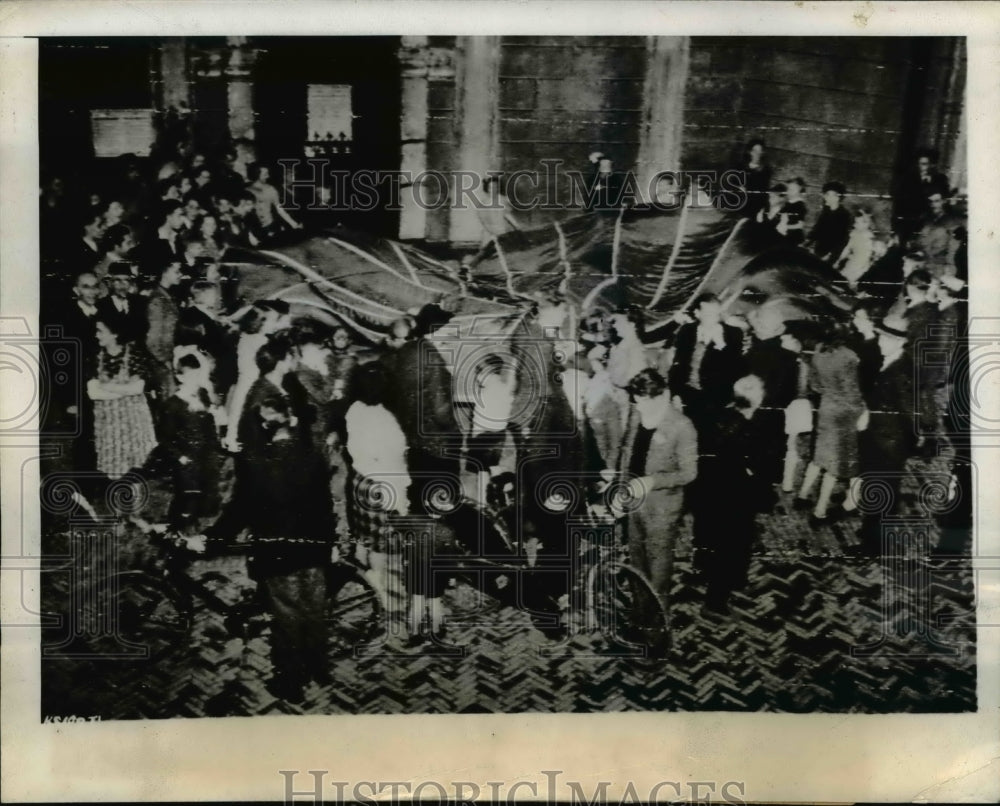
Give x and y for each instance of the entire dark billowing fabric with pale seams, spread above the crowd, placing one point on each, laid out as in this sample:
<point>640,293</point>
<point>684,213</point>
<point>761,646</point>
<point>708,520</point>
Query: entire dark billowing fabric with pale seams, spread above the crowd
<point>650,258</point>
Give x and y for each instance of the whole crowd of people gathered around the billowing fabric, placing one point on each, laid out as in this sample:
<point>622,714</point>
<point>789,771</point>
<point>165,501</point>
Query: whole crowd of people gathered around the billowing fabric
<point>708,414</point>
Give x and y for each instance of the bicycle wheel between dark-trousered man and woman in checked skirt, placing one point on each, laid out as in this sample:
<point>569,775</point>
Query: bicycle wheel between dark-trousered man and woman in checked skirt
<point>353,609</point>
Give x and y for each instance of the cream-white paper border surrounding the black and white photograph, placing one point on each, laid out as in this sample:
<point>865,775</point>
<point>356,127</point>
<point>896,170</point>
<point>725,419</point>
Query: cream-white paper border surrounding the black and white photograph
<point>826,757</point>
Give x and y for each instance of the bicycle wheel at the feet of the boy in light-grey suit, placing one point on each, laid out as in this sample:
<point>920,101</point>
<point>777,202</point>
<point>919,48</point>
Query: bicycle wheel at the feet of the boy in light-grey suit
<point>625,608</point>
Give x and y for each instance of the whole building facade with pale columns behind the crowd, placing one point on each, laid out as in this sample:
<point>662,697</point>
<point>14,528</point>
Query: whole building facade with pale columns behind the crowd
<point>852,109</point>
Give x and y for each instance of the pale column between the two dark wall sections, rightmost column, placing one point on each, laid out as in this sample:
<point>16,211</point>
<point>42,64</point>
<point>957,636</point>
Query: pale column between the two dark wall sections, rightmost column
<point>662,125</point>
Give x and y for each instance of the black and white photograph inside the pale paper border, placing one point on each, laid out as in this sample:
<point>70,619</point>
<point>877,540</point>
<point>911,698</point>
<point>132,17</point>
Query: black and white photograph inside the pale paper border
<point>489,373</point>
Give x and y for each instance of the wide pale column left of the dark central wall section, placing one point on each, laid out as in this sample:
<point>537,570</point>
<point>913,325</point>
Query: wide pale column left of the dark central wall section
<point>477,76</point>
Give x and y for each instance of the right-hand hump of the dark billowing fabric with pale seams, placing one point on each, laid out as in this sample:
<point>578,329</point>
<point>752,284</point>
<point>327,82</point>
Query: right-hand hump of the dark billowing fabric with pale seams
<point>659,260</point>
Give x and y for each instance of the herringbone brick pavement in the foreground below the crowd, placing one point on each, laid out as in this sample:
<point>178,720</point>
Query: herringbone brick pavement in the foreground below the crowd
<point>814,631</point>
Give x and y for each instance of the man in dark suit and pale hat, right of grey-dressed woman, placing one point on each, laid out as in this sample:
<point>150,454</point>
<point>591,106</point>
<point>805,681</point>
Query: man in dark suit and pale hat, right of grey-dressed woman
<point>889,438</point>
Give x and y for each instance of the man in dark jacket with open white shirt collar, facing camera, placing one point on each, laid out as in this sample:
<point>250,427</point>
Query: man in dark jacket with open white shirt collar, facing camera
<point>708,358</point>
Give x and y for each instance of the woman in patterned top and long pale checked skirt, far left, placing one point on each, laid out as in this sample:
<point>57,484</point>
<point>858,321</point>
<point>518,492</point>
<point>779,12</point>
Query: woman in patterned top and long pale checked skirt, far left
<point>123,425</point>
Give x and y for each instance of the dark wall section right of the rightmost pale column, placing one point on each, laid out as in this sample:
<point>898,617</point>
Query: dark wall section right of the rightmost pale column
<point>851,109</point>
